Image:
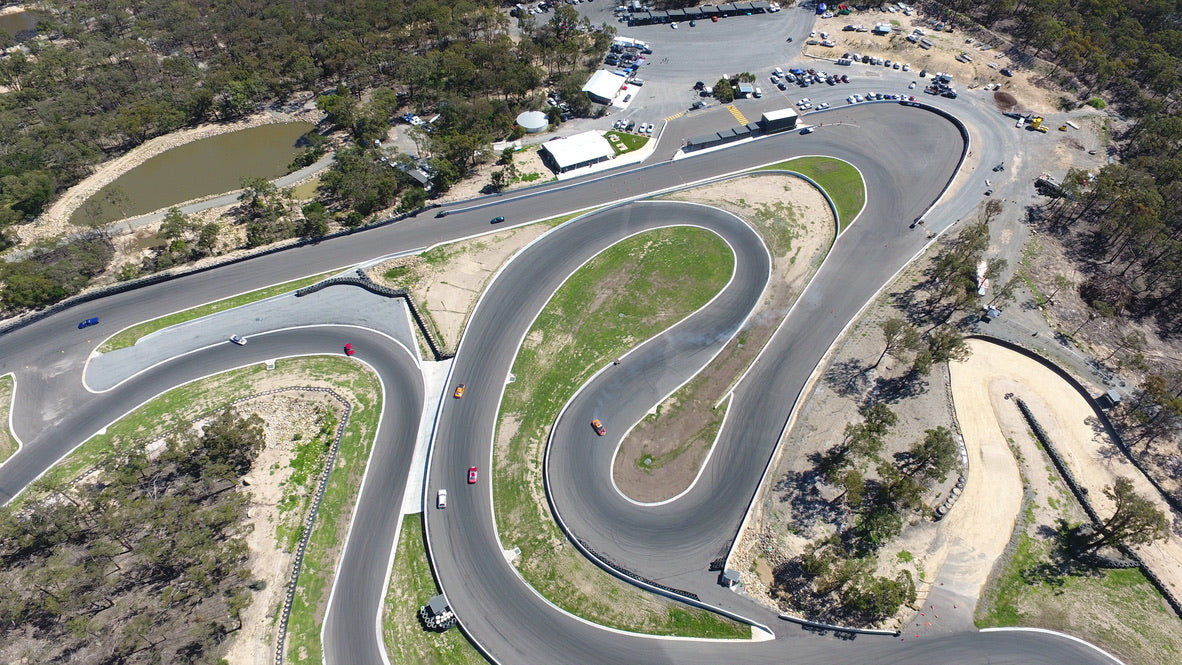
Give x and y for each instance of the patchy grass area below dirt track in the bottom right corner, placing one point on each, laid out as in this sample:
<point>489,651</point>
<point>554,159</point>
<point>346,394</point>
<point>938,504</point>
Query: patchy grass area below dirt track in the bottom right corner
<point>1116,610</point>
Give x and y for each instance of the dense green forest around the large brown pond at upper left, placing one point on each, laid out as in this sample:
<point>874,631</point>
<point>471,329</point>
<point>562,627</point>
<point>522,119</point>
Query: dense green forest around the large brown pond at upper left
<point>106,76</point>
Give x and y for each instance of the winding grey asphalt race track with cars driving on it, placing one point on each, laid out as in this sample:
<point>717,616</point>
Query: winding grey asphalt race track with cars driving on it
<point>907,158</point>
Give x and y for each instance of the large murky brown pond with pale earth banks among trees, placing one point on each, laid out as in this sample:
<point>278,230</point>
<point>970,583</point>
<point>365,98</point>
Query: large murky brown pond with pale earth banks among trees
<point>202,168</point>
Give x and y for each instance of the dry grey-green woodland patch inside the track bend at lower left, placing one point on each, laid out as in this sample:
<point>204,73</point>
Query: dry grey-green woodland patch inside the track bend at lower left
<point>144,562</point>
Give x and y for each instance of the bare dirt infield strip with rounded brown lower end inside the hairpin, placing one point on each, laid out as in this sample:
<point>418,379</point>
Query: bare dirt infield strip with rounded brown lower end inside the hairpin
<point>663,455</point>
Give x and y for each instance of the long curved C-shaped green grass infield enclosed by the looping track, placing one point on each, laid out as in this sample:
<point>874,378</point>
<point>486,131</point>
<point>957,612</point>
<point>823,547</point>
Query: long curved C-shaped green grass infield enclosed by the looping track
<point>629,294</point>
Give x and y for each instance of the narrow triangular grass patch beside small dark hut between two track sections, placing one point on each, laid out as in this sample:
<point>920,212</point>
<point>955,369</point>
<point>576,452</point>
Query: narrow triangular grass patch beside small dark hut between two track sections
<point>412,586</point>
